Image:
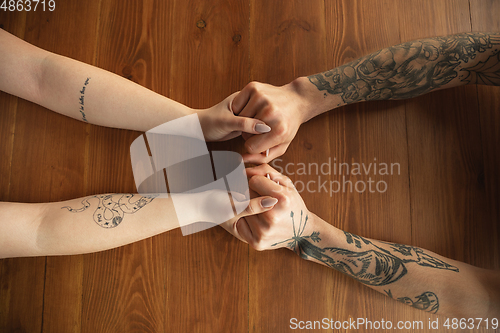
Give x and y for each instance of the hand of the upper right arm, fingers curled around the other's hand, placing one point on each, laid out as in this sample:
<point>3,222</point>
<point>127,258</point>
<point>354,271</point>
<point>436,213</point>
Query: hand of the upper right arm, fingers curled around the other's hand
<point>283,108</point>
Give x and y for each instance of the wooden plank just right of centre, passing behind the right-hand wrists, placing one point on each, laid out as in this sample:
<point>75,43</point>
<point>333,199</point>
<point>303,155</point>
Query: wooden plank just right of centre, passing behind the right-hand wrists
<point>287,41</point>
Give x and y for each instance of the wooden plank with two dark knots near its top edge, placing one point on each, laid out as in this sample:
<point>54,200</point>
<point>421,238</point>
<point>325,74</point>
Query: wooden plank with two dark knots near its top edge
<point>207,285</point>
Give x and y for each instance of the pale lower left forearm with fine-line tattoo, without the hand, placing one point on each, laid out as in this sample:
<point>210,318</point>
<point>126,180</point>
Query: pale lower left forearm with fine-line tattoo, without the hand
<point>101,222</point>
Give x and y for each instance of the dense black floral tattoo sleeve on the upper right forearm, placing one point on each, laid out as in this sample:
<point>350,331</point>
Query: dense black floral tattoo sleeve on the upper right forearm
<point>414,68</point>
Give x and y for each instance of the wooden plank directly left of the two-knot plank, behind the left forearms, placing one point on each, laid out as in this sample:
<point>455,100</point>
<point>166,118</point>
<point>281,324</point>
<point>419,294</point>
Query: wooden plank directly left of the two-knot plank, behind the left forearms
<point>123,289</point>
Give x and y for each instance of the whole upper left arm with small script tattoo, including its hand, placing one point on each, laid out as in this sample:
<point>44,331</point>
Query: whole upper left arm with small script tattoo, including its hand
<point>93,95</point>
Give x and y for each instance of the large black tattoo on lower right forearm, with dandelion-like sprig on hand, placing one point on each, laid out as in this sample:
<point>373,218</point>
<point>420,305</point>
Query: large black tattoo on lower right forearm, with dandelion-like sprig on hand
<point>372,265</point>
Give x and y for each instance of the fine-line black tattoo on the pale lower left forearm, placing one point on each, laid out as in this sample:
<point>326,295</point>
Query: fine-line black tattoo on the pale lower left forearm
<point>111,208</point>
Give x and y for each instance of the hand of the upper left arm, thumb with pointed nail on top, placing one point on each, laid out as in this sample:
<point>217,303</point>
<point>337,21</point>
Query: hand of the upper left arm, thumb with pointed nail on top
<point>219,123</point>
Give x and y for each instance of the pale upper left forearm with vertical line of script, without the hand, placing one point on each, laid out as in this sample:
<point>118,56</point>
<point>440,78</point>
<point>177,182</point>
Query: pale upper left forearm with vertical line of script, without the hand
<point>100,97</point>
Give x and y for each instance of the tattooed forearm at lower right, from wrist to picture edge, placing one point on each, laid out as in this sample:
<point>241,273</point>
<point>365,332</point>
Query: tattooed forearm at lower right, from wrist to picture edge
<point>411,275</point>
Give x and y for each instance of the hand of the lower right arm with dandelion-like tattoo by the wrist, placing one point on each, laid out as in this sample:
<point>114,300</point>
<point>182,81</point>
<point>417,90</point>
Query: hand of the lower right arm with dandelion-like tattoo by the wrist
<point>274,228</point>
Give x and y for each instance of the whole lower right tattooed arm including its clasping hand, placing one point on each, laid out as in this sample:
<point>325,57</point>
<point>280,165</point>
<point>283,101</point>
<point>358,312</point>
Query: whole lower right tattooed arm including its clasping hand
<point>414,276</point>
